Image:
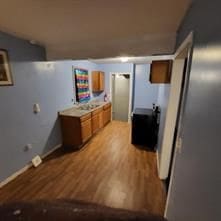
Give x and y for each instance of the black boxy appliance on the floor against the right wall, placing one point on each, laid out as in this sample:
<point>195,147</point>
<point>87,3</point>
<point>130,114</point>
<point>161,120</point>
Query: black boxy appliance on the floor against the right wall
<point>145,127</point>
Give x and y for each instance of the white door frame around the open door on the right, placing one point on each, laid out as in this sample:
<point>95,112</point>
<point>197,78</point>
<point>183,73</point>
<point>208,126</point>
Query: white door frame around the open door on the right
<point>187,44</point>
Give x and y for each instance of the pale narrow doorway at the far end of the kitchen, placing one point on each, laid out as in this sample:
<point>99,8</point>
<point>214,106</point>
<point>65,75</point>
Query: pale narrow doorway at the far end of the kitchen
<point>120,96</point>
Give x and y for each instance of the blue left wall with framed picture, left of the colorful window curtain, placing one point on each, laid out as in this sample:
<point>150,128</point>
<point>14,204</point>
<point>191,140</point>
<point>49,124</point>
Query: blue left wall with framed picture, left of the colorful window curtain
<point>35,81</point>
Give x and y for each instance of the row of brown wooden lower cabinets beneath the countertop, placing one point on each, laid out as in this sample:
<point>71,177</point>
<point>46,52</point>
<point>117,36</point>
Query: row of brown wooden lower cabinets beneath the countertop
<point>77,130</point>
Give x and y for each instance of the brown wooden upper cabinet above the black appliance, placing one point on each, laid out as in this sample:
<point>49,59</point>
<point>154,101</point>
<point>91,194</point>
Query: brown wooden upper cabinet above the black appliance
<point>160,72</point>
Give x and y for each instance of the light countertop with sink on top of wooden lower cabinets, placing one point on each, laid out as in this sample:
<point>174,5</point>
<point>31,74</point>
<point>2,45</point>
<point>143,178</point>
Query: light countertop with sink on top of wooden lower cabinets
<point>75,112</point>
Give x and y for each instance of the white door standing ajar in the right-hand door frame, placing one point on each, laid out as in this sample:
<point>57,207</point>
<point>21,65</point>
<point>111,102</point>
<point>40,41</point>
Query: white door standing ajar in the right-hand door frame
<point>170,128</point>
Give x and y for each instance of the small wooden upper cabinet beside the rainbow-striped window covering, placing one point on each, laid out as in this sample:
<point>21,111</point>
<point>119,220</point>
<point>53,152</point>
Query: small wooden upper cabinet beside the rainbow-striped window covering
<point>97,81</point>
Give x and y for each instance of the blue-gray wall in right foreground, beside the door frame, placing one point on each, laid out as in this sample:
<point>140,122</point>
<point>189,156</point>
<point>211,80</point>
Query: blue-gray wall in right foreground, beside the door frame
<point>195,191</point>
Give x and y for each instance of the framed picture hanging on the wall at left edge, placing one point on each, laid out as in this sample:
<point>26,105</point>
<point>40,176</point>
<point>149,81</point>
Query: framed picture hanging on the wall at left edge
<point>5,71</point>
